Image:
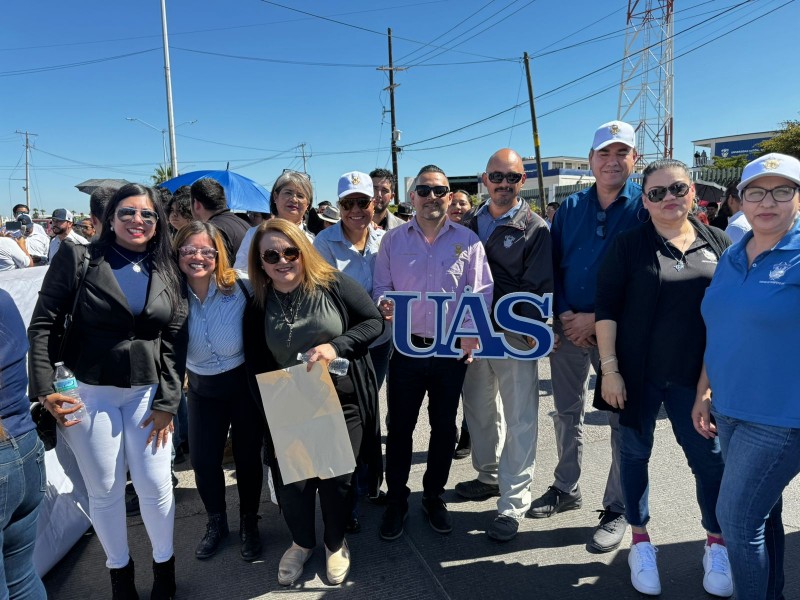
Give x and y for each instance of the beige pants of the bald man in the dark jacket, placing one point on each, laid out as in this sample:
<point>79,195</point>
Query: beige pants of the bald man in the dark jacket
<point>504,430</point>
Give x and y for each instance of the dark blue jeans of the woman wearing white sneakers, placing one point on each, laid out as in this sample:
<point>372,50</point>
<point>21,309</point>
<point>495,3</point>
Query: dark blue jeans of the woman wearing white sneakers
<point>703,455</point>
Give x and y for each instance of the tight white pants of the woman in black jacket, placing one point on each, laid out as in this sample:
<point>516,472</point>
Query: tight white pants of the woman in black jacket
<point>105,444</point>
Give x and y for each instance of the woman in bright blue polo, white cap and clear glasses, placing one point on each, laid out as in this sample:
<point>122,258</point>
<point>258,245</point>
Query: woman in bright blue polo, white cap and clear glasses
<point>750,366</point>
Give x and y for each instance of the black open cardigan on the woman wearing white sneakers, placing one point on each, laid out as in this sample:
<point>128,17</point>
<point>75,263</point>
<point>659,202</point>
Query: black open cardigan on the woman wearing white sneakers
<point>628,285</point>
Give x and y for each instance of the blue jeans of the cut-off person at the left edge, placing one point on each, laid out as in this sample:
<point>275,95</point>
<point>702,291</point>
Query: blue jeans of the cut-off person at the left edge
<point>22,486</point>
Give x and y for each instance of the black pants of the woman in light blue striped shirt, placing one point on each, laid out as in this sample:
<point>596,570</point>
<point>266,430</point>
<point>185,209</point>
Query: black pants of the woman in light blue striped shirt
<point>217,402</point>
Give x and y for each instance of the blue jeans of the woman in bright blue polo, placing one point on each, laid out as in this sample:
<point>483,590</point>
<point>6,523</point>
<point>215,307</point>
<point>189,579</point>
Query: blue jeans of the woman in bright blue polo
<point>763,460</point>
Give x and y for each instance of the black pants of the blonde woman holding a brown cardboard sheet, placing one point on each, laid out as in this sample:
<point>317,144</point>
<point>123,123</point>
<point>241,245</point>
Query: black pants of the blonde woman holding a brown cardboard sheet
<point>298,499</point>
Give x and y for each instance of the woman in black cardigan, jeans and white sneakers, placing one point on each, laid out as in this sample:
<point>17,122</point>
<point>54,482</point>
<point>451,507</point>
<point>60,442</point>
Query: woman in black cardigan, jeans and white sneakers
<point>651,338</point>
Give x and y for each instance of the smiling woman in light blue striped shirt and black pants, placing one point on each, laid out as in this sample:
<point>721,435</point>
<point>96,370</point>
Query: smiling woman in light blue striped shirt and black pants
<point>219,397</point>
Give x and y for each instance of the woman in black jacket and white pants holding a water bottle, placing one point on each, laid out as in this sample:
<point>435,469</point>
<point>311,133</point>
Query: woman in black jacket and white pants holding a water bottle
<point>130,377</point>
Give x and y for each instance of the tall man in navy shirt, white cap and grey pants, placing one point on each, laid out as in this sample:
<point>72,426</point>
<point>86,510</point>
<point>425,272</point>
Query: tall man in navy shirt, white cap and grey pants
<point>583,229</point>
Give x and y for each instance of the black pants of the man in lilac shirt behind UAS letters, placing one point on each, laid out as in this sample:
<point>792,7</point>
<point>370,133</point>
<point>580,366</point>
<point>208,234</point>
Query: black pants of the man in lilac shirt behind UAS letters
<point>409,380</point>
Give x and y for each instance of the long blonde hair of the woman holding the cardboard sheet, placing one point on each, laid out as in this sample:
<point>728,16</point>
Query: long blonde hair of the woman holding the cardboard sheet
<point>316,271</point>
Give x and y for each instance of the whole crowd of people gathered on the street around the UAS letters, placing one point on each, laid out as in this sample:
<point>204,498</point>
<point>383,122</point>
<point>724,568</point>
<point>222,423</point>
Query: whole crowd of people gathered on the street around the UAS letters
<point>180,290</point>
